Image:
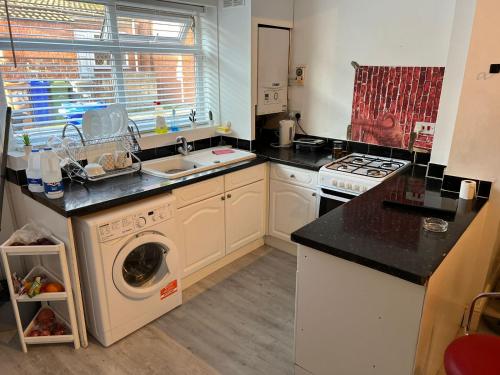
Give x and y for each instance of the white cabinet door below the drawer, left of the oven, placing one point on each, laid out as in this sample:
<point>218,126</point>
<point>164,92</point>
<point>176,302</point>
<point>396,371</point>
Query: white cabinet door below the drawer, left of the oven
<point>290,208</point>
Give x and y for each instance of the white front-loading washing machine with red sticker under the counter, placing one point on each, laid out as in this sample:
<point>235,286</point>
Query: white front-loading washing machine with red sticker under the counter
<point>130,266</point>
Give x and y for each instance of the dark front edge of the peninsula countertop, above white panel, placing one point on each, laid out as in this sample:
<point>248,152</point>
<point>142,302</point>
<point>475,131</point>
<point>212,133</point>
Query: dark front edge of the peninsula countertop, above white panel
<point>408,276</point>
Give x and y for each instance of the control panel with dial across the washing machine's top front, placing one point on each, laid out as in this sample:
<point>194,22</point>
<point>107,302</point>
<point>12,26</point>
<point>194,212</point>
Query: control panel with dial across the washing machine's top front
<point>133,223</point>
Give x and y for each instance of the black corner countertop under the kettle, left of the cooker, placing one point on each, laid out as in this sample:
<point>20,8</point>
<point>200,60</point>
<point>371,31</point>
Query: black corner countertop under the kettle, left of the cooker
<point>302,158</point>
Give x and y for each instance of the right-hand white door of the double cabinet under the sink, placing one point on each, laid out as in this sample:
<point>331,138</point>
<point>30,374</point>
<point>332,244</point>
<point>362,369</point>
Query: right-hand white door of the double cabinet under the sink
<point>245,215</point>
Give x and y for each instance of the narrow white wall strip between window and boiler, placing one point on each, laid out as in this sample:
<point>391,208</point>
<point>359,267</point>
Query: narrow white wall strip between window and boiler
<point>235,68</point>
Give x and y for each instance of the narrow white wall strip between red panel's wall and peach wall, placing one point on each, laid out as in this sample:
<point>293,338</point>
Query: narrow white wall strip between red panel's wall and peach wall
<point>453,79</point>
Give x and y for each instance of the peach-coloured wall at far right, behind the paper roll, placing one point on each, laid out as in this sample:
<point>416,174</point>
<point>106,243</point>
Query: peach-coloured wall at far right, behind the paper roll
<point>475,150</point>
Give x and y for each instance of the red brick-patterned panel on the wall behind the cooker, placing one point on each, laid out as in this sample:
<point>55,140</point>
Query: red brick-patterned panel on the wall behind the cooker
<point>389,100</point>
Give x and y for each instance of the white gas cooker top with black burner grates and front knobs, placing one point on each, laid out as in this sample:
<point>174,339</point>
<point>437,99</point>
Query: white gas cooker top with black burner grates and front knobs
<point>357,173</point>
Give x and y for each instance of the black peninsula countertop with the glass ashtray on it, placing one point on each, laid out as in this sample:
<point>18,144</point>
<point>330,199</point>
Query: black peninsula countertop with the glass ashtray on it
<point>386,238</point>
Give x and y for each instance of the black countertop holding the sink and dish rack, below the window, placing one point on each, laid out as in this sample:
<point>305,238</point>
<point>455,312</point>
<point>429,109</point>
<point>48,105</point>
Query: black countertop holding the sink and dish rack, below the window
<point>95,196</point>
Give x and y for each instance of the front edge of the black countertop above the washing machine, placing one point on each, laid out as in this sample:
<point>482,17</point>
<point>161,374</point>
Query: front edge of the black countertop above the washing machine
<point>39,197</point>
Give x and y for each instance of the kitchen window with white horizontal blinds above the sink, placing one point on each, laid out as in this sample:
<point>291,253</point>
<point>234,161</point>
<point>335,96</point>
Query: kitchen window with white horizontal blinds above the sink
<point>73,56</point>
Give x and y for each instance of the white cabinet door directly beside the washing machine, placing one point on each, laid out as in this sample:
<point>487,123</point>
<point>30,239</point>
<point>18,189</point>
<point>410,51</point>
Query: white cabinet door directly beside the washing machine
<point>202,233</point>
